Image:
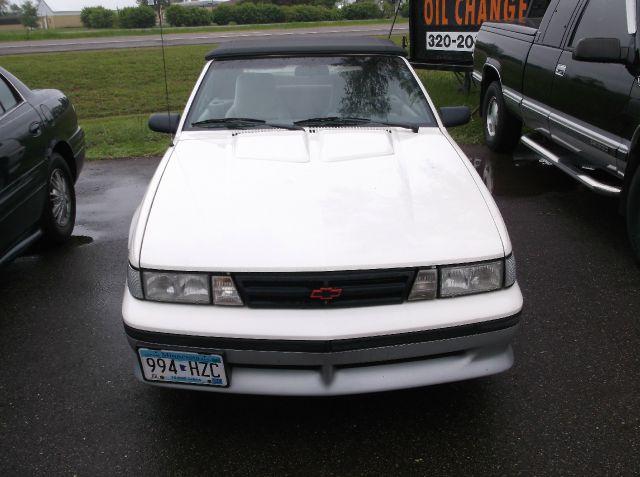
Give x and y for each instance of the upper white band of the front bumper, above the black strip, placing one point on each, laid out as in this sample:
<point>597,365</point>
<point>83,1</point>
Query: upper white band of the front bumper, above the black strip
<point>319,324</point>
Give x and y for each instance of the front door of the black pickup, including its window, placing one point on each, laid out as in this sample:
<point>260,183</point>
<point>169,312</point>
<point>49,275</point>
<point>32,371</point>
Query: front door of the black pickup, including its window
<point>588,99</point>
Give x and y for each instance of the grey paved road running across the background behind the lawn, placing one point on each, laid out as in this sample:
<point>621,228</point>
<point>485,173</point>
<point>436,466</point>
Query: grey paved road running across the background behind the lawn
<point>85,44</point>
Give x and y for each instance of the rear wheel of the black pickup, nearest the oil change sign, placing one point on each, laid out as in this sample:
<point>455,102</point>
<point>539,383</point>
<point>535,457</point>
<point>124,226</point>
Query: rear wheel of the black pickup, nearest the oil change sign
<point>502,129</point>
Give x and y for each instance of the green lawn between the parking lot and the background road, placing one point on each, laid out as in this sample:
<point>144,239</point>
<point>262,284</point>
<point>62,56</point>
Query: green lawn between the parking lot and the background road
<point>115,90</point>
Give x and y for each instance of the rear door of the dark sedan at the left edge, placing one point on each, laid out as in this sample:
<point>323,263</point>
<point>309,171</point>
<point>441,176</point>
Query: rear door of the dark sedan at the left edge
<point>22,167</point>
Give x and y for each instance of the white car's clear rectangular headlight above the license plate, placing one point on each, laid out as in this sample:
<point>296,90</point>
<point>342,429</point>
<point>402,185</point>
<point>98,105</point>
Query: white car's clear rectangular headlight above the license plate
<point>176,287</point>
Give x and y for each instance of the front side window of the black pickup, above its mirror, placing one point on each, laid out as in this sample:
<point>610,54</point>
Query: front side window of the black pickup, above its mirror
<point>602,19</point>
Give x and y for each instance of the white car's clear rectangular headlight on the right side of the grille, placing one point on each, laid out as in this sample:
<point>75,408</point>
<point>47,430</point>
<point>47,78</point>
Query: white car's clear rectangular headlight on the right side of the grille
<point>467,279</point>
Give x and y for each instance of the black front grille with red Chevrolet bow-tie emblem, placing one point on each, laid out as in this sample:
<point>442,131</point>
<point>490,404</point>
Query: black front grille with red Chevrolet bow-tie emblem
<point>325,290</point>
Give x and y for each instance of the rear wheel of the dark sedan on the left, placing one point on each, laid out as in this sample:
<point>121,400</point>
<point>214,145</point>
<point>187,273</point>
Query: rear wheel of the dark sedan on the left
<point>59,214</point>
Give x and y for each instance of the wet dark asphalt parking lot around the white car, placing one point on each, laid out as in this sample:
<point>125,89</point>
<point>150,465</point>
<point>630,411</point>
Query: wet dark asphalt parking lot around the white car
<point>69,404</point>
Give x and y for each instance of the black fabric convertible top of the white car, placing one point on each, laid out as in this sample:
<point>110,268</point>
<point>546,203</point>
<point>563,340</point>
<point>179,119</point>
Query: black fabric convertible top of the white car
<point>307,46</point>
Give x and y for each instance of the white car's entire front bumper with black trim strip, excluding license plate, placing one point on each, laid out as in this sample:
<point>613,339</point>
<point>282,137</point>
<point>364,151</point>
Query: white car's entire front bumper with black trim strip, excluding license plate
<point>336,351</point>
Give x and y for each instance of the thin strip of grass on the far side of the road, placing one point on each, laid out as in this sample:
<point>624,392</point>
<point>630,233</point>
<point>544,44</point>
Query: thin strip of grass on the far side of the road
<point>72,33</point>
